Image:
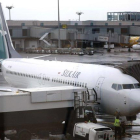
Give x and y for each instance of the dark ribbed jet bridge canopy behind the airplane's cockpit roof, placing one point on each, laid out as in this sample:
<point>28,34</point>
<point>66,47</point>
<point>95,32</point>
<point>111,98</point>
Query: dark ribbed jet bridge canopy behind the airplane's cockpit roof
<point>131,68</point>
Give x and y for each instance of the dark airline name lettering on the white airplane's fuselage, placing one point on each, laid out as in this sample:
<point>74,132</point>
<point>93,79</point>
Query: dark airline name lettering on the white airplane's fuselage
<point>71,74</point>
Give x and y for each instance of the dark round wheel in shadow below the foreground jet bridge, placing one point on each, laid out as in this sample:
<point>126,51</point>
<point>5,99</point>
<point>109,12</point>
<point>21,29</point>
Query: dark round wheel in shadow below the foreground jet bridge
<point>24,135</point>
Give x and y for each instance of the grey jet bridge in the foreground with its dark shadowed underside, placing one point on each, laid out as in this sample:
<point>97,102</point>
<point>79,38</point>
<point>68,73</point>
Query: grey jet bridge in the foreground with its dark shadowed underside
<point>44,108</point>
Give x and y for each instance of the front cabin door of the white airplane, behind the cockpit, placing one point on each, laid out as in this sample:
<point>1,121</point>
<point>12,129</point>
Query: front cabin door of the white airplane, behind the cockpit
<point>98,87</point>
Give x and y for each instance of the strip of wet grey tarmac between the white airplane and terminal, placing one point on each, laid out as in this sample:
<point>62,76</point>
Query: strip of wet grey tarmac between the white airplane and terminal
<point>100,55</point>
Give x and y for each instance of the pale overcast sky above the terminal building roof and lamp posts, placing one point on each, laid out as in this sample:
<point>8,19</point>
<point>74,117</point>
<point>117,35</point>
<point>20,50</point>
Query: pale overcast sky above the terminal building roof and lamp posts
<point>47,9</point>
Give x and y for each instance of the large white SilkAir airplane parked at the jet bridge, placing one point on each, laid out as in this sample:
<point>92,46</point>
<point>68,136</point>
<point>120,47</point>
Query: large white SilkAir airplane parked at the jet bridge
<point>117,93</point>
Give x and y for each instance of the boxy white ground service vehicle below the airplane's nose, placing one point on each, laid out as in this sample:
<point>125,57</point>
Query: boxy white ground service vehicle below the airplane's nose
<point>92,131</point>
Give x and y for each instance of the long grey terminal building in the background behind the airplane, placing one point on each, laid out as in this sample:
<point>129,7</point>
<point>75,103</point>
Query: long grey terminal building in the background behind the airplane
<point>118,27</point>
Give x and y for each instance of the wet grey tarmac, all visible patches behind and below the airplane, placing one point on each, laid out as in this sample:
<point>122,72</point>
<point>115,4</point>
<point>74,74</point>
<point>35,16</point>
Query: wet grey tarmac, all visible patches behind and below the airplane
<point>101,56</point>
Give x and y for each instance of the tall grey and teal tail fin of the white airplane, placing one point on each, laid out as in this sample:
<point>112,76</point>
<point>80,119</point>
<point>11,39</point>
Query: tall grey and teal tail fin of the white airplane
<point>6,47</point>
